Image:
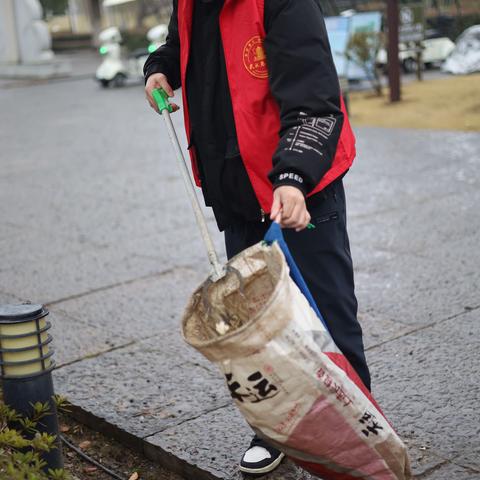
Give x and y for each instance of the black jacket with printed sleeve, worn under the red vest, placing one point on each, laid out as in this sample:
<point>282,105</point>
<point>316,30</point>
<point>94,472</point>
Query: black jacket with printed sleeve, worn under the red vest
<point>302,79</point>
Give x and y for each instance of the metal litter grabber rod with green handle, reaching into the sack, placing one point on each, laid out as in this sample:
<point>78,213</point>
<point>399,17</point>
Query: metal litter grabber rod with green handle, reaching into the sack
<point>165,108</point>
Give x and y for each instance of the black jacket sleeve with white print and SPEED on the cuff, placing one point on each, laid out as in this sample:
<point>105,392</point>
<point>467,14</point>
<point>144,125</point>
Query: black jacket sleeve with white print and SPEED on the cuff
<point>304,82</point>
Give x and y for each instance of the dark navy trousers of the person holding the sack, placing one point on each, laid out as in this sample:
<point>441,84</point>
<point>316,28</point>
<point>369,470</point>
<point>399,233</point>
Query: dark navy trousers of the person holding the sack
<point>323,256</point>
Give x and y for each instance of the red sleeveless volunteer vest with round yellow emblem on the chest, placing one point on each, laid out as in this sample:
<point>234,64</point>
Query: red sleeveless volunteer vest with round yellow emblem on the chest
<point>256,113</point>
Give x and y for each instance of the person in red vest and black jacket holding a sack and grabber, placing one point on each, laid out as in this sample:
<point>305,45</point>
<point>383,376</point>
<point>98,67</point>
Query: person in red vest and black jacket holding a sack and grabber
<point>269,140</point>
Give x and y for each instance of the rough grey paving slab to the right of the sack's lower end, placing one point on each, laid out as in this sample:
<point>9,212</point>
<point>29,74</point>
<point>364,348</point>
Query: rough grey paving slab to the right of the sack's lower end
<point>426,382</point>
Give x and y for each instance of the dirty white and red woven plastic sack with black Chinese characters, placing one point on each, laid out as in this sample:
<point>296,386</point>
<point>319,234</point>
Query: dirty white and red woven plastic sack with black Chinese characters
<point>289,380</point>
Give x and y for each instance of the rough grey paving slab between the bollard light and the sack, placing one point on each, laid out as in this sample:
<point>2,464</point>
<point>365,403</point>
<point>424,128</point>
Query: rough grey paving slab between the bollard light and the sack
<point>146,387</point>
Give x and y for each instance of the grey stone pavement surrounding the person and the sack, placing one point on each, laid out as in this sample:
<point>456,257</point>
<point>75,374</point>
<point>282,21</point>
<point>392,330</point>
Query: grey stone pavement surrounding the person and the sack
<point>95,224</point>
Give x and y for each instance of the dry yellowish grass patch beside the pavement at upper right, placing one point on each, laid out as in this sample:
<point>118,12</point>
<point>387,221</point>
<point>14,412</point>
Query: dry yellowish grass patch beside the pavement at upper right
<point>450,103</point>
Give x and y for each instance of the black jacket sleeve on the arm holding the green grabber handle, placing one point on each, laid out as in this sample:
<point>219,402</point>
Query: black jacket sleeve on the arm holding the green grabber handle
<point>166,59</point>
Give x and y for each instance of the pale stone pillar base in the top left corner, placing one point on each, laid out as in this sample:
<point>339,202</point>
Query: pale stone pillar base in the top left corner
<point>25,43</point>
